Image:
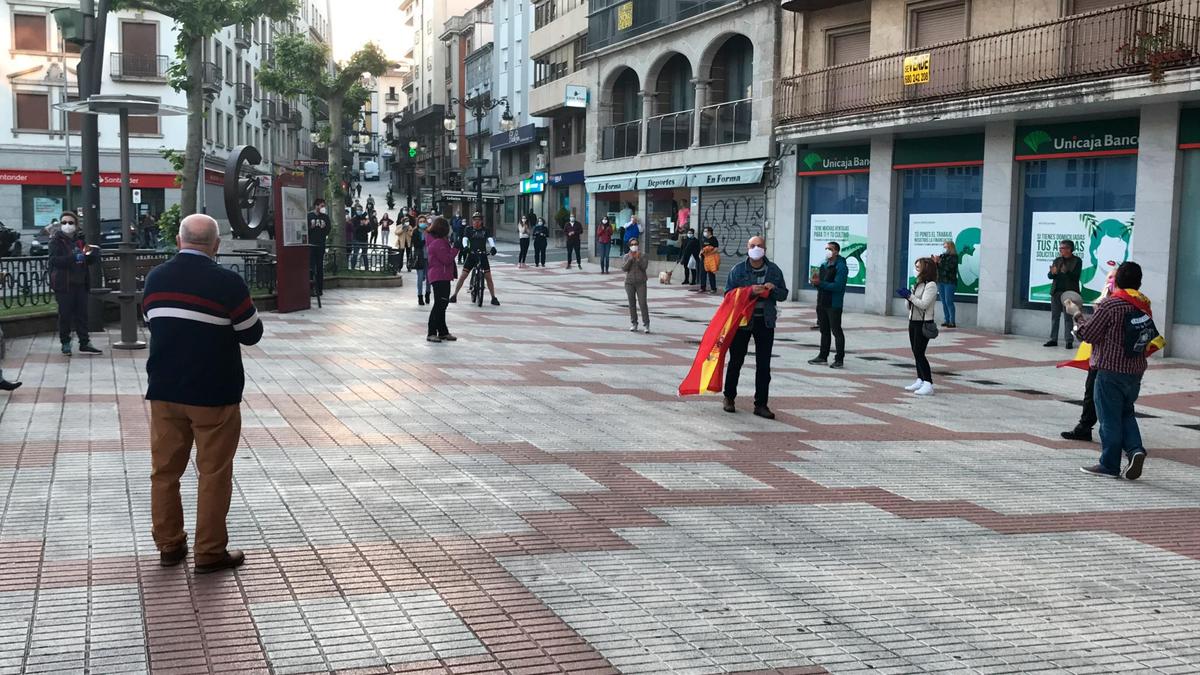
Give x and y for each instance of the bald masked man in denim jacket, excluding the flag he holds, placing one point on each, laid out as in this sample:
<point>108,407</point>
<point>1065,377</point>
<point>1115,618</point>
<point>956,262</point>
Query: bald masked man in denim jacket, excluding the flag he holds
<point>766,282</point>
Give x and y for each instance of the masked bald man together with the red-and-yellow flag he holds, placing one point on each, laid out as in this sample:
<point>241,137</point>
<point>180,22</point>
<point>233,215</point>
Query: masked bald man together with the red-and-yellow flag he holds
<point>752,291</point>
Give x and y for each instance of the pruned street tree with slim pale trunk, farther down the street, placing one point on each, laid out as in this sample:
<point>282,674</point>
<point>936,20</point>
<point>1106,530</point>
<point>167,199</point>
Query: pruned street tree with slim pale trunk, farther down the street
<point>304,68</point>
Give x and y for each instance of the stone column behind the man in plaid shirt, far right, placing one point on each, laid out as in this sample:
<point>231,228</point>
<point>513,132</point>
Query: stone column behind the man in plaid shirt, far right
<point>1157,210</point>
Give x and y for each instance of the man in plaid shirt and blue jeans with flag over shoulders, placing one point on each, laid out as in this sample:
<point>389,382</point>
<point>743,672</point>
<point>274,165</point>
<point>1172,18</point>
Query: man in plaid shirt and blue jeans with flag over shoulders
<point>1123,336</point>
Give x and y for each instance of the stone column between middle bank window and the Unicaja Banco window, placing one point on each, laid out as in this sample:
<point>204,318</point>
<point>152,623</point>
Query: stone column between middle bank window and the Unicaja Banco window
<point>999,229</point>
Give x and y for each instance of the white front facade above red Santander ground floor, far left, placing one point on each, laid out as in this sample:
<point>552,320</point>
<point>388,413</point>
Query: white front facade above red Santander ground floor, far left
<point>39,141</point>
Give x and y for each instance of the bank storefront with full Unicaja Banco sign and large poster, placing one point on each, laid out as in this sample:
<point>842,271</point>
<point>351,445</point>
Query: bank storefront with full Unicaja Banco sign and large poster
<point>1078,183</point>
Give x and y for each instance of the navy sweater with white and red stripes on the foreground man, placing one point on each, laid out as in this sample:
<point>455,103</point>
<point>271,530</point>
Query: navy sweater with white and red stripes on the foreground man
<point>200,316</point>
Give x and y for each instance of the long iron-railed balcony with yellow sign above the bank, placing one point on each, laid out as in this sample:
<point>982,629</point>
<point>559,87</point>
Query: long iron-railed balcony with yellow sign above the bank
<point>1078,49</point>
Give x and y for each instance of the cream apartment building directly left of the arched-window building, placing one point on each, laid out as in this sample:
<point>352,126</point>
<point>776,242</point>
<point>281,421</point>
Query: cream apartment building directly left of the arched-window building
<point>560,95</point>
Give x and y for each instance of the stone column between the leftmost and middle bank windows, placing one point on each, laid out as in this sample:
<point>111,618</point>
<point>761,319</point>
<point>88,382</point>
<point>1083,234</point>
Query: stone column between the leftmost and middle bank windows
<point>880,231</point>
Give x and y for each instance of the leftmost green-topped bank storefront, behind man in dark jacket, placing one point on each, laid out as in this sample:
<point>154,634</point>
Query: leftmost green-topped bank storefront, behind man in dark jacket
<point>835,190</point>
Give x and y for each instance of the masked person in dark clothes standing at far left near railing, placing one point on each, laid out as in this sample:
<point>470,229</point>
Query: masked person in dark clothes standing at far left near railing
<point>70,256</point>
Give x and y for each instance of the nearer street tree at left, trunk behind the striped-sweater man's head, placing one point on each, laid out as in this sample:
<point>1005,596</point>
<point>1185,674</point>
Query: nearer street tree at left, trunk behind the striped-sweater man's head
<point>199,21</point>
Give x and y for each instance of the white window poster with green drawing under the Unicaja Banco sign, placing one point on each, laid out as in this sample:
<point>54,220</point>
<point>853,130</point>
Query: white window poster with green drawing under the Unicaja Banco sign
<point>1103,241</point>
